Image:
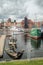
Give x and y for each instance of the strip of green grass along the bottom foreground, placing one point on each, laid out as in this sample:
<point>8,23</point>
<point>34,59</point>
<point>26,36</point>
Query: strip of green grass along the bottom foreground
<point>31,62</point>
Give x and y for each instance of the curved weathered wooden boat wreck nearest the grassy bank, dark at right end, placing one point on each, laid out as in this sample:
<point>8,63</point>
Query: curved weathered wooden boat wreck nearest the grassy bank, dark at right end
<point>14,55</point>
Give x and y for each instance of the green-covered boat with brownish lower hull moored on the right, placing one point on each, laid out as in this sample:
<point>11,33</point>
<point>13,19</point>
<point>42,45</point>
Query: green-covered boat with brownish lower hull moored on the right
<point>35,33</point>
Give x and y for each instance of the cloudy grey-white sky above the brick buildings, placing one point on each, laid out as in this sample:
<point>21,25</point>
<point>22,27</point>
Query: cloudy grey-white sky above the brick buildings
<point>18,9</point>
